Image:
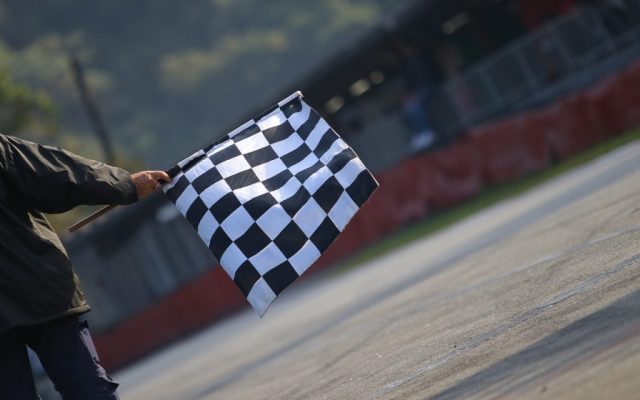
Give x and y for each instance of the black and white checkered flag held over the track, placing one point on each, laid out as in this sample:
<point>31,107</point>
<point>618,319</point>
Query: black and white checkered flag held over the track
<point>270,197</point>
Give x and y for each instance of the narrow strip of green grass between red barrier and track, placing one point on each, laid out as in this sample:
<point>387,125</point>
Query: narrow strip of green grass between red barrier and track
<point>486,198</point>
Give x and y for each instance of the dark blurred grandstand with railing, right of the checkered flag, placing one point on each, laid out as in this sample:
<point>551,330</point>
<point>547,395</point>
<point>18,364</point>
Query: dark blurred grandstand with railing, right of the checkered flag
<point>477,64</point>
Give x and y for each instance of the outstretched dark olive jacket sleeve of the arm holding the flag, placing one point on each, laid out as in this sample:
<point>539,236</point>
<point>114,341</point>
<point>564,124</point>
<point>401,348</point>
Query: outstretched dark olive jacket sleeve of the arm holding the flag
<point>53,180</point>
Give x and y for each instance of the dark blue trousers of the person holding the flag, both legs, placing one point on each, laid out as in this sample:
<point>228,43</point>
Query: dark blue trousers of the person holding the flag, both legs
<point>65,349</point>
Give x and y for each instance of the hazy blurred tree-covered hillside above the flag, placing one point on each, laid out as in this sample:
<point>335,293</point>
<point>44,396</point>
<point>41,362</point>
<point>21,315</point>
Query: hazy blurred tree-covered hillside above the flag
<point>170,76</point>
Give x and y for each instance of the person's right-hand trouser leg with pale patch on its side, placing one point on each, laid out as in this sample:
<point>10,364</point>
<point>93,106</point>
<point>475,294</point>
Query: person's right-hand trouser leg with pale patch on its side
<point>66,351</point>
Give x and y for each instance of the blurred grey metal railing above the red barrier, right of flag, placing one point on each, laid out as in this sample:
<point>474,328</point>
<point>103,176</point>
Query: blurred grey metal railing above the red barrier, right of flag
<point>561,56</point>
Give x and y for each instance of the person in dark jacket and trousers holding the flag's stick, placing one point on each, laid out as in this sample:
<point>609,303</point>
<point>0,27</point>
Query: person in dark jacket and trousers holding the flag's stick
<point>40,295</point>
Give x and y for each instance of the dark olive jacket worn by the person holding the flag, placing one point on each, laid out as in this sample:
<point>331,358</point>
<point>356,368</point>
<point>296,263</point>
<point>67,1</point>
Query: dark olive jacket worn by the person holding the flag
<point>37,283</point>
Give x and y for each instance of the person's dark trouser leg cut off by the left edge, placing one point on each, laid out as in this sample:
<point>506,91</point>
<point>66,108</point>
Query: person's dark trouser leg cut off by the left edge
<point>16,379</point>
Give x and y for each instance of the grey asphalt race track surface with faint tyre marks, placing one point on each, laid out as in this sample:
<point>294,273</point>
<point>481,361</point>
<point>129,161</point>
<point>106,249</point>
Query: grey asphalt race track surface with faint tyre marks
<point>537,297</point>
